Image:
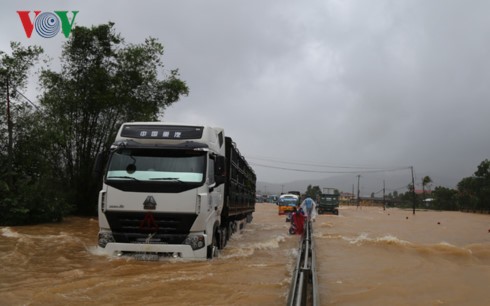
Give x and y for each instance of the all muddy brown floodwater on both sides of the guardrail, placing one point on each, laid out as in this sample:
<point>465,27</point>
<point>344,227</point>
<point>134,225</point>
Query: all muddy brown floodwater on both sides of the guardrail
<point>365,257</point>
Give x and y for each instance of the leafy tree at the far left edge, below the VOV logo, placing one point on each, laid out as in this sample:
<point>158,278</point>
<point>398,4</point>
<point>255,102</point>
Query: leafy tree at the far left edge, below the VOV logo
<point>25,177</point>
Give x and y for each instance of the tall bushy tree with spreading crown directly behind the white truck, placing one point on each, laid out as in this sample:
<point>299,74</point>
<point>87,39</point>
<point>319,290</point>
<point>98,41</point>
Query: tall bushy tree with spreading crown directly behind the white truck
<point>103,82</point>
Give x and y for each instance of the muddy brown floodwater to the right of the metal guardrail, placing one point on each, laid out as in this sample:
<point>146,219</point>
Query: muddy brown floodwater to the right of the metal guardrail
<point>373,257</point>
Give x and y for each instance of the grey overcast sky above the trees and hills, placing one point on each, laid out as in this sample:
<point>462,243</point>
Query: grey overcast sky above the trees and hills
<point>302,85</point>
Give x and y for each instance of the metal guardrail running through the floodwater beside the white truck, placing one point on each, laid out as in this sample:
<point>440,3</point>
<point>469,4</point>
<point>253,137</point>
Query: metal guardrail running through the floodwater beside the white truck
<point>304,285</point>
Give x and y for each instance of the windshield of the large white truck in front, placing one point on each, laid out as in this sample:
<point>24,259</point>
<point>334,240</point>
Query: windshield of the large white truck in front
<point>157,165</point>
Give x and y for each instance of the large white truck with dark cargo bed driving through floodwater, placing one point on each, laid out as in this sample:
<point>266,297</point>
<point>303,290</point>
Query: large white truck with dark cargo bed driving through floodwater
<point>173,190</point>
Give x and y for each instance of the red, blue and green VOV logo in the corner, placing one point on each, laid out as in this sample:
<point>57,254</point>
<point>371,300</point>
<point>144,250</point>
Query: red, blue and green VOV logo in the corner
<point>47,24</point>
